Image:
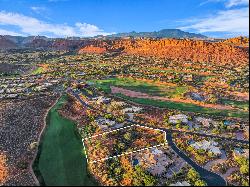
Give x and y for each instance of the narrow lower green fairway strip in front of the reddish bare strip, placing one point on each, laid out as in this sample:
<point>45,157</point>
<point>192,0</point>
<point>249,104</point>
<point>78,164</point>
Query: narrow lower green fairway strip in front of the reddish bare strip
<point>186,107</point>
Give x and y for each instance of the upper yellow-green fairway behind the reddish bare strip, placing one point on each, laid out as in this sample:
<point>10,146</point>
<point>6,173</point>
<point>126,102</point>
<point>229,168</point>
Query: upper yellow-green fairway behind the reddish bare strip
<point>141,86</point>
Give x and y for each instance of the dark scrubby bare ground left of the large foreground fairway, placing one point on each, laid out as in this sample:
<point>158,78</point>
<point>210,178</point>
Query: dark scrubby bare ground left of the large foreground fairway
<point>21,122</point>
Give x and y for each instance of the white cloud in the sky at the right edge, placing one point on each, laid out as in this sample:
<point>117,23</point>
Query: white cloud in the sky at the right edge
<point>231,21</point>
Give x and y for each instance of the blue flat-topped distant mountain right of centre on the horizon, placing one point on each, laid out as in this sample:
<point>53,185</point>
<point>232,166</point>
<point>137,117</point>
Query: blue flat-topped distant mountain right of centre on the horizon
<point>165,33</point>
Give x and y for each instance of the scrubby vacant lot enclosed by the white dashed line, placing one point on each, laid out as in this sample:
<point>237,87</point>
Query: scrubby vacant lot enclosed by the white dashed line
<point>121,141</point>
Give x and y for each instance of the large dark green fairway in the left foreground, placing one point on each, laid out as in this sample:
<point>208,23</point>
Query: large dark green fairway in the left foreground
<point>61,161</point>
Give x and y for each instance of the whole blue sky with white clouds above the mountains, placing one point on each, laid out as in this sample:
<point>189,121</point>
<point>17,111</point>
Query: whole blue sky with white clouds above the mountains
<point>86,18</point>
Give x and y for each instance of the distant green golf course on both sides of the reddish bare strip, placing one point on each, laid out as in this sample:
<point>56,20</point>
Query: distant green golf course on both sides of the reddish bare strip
<point>169,91</point>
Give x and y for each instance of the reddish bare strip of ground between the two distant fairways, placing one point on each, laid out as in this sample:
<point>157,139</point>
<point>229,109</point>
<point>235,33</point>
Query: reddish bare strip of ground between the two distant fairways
<point>135,94</point>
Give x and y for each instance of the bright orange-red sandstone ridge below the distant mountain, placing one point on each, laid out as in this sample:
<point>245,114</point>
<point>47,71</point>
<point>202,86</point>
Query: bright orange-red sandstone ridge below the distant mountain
<point>180,50</point>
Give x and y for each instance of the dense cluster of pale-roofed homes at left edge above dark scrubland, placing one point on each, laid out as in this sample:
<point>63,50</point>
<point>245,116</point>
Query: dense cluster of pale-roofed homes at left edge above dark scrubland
<point>19,87</point>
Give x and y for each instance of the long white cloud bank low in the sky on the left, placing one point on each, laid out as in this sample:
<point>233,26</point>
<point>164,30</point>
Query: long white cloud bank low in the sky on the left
<point>33,26</point>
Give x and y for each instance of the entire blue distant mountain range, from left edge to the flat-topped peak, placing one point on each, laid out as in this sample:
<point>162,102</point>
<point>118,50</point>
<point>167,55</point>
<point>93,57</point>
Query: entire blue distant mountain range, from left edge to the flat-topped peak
<point>10,42</point>
